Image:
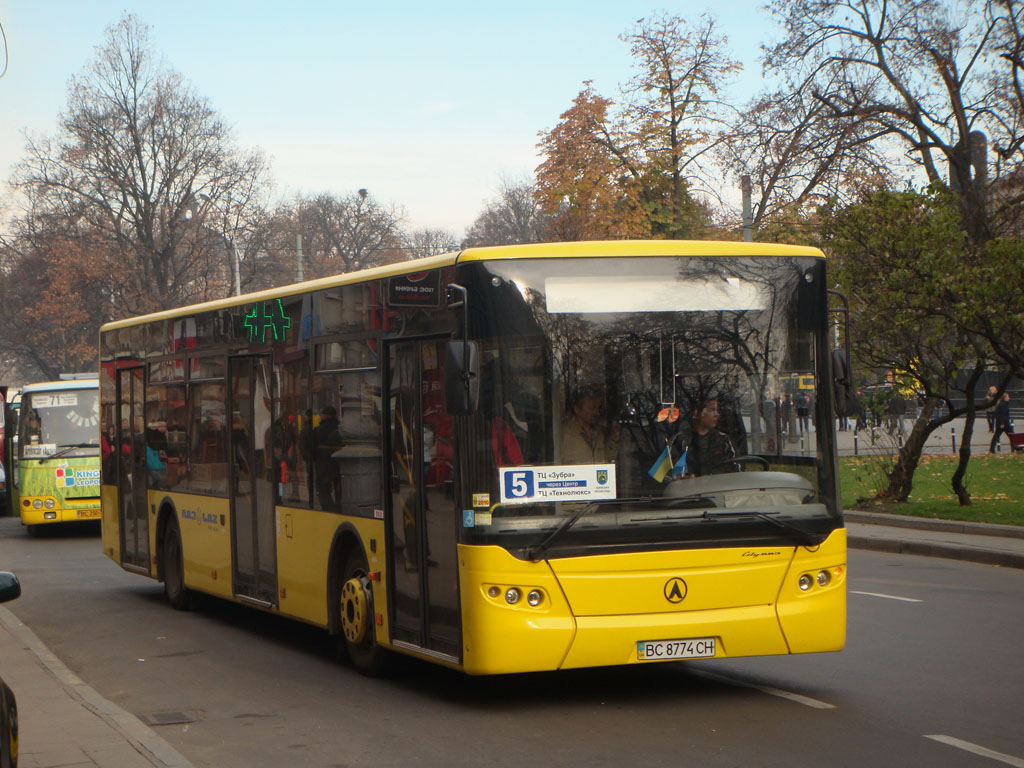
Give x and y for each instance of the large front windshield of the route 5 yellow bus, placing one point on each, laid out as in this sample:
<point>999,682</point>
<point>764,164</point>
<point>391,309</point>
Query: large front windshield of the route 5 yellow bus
<point>668,402</point>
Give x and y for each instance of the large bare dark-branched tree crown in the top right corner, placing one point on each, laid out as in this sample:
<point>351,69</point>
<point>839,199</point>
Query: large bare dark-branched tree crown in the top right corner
<point>925,79</point>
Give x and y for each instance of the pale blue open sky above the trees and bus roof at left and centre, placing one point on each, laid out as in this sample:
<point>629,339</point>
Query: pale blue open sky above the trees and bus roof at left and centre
<point>430,106</point>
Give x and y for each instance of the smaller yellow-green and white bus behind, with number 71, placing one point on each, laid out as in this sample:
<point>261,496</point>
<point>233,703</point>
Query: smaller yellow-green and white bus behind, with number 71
<point>56,462</point>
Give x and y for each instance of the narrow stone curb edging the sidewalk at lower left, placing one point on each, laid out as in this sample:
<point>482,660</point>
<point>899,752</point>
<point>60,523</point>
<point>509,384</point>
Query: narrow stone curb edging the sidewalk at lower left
<point>146,742</point>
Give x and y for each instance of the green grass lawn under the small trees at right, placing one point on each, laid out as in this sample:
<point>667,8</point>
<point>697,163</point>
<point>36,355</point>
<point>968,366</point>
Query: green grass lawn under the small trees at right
<point>996,485</point>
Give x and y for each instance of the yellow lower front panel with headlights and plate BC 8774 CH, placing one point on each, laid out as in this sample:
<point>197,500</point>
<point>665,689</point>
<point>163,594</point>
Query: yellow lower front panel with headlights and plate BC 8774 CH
<point>750,609</point>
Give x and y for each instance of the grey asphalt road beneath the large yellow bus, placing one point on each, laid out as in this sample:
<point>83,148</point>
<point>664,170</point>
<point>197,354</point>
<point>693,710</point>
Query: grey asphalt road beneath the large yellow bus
<point>933,675</point>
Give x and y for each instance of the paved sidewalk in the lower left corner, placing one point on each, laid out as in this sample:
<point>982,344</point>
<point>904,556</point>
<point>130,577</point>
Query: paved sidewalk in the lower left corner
<point>64,723</point>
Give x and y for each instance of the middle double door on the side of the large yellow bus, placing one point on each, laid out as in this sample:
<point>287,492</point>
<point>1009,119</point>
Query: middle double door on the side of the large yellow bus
<point>253,531</point>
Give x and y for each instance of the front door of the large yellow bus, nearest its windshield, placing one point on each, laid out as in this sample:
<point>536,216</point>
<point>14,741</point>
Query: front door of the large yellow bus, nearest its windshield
<point>423,516</point>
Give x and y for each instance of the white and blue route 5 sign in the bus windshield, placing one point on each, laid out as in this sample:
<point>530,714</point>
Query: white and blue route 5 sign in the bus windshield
<point>571,483</point>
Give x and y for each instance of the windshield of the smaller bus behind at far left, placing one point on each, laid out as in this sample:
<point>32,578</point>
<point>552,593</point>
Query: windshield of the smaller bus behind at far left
<point>60,423</point>
